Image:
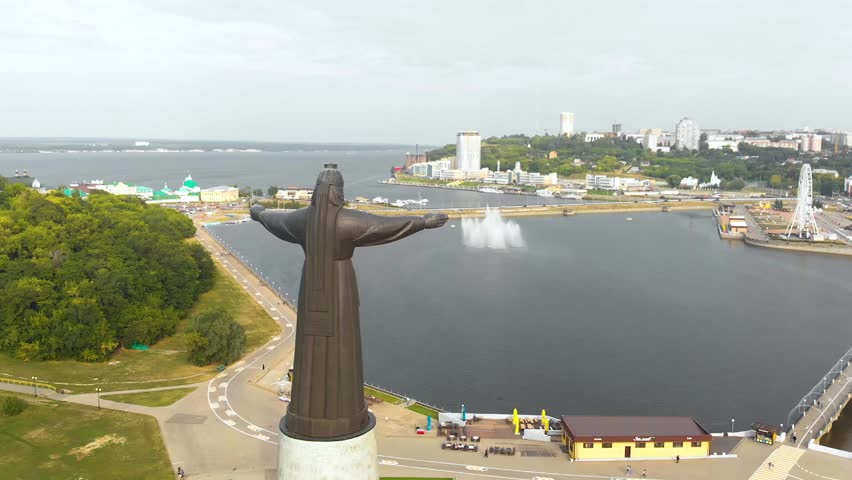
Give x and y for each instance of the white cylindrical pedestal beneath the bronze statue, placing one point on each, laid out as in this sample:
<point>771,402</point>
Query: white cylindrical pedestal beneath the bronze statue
<point>353,458</point>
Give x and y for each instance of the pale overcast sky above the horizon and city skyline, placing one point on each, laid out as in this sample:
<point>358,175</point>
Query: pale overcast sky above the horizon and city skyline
<point>417,71</point>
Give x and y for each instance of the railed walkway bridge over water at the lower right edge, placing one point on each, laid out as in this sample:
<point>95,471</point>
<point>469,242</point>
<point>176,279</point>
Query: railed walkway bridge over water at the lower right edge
<point>813,416</point>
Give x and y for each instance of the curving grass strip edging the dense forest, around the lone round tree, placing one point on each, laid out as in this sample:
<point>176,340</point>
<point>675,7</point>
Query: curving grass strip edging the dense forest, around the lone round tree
<point>166,363</point>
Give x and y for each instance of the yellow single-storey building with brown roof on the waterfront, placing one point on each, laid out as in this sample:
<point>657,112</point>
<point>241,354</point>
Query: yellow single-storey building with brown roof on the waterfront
<point>616,438</point>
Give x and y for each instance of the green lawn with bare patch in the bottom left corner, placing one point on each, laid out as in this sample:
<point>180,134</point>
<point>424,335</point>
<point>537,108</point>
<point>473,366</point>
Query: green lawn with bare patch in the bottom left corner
<point>63,440</point>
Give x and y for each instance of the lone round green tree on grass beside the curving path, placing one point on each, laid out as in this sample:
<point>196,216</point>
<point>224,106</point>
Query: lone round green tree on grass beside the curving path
<point>214,336</point>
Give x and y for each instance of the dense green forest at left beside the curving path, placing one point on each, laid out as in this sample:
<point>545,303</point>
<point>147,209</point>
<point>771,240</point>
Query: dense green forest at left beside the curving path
<point>80,277</point>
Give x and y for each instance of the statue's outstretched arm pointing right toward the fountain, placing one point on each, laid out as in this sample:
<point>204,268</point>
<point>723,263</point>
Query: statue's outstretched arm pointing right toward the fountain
<point>378,230</point>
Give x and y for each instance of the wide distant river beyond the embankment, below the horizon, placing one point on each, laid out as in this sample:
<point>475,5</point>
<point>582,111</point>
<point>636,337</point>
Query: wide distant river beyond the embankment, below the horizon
<point>361,169</point>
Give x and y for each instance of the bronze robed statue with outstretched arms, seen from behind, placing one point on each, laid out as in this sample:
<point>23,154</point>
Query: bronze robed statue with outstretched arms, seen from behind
<point>327,399</point>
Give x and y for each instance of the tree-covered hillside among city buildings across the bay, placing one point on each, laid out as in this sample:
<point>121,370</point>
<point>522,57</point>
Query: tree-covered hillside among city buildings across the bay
<point>766,166</point>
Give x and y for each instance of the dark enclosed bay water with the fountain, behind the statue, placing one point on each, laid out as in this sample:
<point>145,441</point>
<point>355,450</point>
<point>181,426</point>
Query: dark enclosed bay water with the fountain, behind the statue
<point>597,315</point>
